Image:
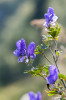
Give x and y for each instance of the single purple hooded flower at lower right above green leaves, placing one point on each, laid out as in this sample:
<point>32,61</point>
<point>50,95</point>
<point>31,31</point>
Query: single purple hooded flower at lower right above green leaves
<point>53,71</point>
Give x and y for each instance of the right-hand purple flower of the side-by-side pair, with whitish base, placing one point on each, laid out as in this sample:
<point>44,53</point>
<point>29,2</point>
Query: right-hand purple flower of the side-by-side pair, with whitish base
<point>30,51</point>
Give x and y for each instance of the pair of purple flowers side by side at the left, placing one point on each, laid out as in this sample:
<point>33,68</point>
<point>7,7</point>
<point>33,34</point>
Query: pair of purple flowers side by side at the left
<point>24,53</point>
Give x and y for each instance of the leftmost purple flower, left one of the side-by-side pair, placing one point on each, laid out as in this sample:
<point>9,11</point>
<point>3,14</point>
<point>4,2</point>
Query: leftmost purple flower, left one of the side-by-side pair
<point>21,50</point>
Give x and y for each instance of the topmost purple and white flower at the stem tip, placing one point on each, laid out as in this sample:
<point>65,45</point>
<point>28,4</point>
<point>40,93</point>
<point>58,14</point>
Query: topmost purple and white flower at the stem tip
<point>50,18</point>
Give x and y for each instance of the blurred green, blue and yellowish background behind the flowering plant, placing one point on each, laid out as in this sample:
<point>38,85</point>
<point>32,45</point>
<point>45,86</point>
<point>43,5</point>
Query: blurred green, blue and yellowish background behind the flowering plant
<point>15,18</point>
